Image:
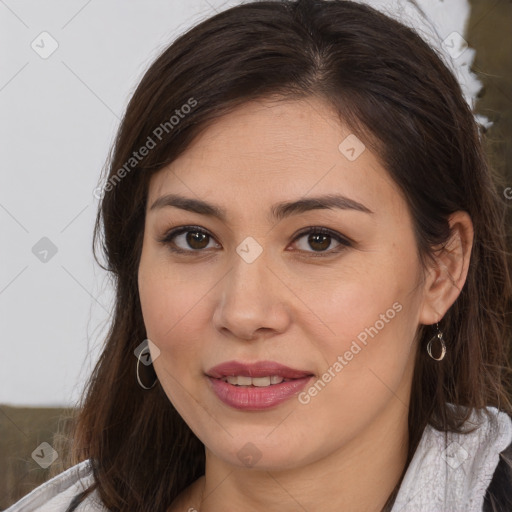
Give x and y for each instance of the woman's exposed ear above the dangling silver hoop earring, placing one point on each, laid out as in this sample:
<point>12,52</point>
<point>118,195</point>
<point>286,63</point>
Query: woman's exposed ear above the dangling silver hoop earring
<point>447,274</point>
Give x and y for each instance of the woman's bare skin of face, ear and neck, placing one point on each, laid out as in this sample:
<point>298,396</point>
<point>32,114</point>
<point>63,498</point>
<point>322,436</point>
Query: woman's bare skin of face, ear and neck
<point>346,448</point>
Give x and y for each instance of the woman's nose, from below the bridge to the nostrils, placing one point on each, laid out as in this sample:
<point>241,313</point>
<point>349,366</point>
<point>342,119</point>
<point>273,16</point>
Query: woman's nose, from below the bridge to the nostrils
<point>253,302</point>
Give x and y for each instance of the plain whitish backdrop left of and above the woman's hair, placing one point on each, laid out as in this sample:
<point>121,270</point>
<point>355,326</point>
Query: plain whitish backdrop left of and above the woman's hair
<point>58,119</point>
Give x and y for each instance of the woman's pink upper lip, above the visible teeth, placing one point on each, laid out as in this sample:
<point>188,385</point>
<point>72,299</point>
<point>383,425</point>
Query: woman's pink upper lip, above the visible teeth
<point>257,369</point>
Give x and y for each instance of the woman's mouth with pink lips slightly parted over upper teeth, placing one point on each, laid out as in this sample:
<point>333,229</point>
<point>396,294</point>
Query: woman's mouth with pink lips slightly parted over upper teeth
<point>256,386</point>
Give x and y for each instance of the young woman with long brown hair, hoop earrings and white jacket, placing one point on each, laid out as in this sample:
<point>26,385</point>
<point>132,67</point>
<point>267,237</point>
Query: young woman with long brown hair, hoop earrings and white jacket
<point>312,280</point>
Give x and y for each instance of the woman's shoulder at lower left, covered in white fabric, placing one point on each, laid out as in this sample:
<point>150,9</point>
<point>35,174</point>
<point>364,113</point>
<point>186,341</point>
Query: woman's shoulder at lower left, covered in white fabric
<point>58,493</point>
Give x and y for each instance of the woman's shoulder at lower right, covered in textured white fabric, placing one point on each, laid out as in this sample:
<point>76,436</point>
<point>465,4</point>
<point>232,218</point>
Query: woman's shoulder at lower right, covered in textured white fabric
<point>457,472</point>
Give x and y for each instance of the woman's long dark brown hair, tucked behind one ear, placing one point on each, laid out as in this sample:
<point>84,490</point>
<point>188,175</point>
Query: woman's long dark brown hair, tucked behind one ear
<point>398,96</point>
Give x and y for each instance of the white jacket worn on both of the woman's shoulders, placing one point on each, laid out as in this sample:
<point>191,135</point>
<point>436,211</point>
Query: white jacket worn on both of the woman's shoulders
<point>450,474</point>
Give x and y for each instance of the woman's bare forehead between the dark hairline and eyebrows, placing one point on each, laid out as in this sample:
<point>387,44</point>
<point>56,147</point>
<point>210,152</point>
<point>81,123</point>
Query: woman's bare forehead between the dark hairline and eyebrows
<point>267,151</point>
